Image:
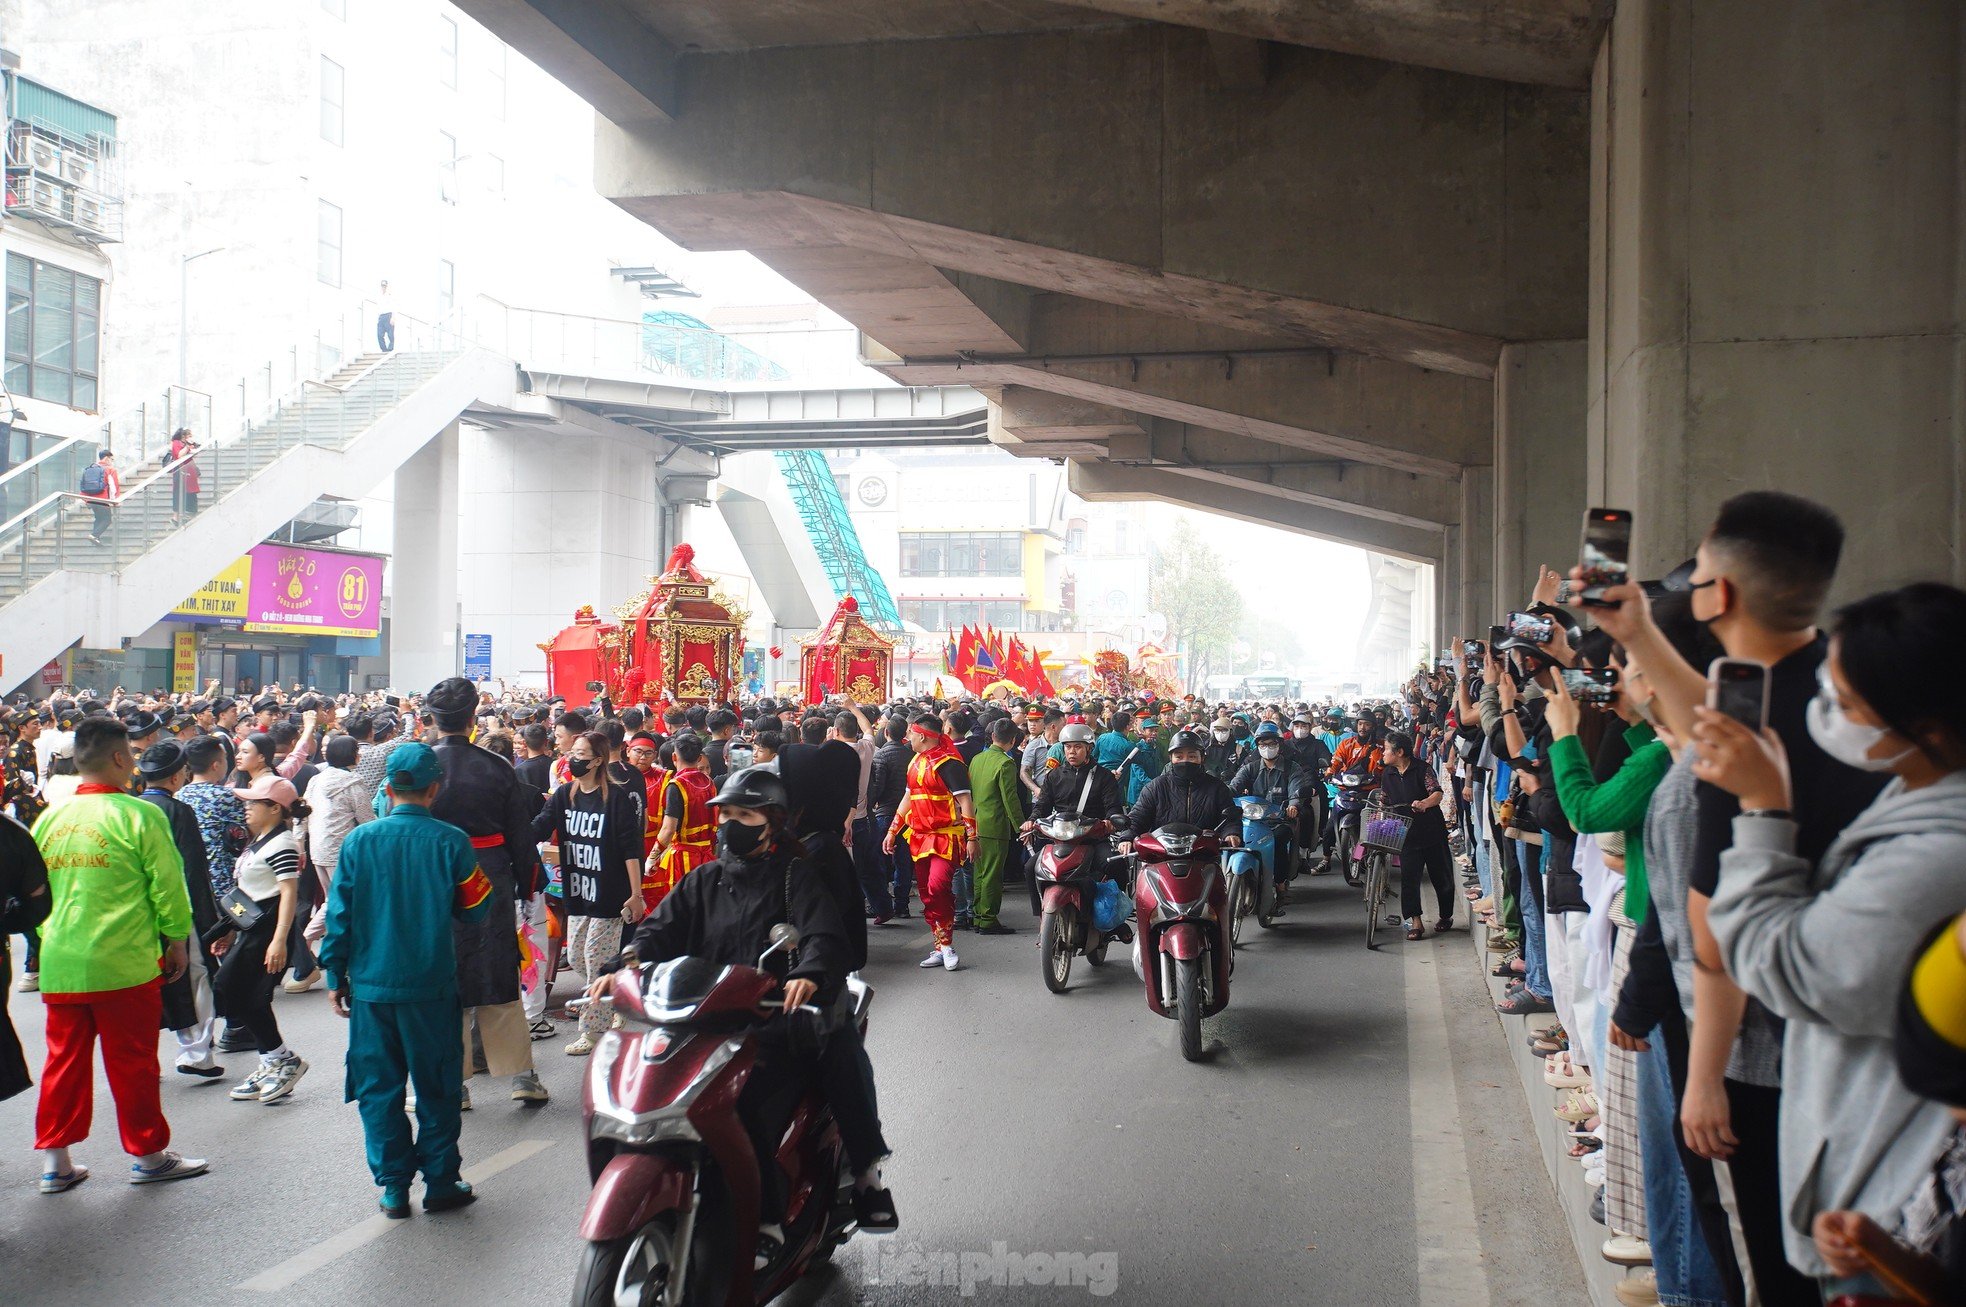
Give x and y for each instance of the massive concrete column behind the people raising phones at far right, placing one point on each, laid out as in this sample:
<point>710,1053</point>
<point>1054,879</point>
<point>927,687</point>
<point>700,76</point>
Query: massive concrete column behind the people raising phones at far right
<point>1776,247</point>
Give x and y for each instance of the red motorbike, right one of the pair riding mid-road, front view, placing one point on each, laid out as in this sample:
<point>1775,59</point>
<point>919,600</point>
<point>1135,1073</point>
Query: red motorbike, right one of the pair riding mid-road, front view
<point>1181,901</point>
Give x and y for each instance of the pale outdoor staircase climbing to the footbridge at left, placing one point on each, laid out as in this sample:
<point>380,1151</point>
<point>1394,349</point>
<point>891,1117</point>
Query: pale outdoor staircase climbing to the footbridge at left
<point>339,437</point>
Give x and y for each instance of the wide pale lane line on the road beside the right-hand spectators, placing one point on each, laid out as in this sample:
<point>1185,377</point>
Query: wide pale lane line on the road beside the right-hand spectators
<point>1452,1271</point>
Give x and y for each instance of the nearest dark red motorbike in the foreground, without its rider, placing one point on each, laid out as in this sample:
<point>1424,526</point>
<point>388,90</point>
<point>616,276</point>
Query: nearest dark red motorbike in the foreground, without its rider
<point>675,1208</point>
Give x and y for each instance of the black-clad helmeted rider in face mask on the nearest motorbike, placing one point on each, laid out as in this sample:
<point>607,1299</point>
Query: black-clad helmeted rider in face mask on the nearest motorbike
<point>724,913</point>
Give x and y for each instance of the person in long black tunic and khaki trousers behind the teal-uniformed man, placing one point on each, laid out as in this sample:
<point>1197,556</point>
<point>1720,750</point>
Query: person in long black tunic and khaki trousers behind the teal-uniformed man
<point>485,797</point>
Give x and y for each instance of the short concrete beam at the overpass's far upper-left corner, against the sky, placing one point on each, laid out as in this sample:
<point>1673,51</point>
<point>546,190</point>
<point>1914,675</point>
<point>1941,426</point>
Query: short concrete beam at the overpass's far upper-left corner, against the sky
<point>595,48</point>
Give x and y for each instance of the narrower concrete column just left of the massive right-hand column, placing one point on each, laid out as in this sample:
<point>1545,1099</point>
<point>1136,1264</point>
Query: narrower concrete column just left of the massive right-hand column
<point>1540,398</point>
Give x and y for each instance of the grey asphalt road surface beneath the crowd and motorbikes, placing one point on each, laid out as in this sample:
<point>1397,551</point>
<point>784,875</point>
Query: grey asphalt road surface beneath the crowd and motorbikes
<point>1287,1168</point>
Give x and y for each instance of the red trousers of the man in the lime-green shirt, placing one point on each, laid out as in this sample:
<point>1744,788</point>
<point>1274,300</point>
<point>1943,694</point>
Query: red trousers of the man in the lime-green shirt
<point>127,1023</point>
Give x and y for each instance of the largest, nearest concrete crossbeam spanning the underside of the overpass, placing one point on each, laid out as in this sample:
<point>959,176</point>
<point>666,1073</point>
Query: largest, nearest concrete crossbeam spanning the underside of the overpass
<point>1397,211</point>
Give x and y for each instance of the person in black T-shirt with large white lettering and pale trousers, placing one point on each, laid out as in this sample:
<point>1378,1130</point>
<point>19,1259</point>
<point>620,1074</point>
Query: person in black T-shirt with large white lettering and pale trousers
<point>599,824</point>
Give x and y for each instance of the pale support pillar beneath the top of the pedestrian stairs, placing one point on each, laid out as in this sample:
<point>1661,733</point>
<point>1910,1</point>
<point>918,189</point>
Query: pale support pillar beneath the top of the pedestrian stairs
<point>424,575</point>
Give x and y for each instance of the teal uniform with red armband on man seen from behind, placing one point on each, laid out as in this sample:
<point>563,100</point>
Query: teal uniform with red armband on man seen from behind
<point>388,946</point>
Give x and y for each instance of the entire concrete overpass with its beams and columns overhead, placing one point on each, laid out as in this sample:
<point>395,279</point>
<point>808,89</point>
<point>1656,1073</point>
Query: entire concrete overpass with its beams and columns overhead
<point>1413,274</point>
